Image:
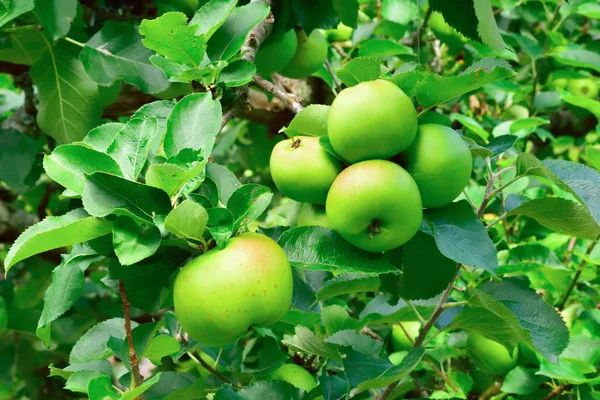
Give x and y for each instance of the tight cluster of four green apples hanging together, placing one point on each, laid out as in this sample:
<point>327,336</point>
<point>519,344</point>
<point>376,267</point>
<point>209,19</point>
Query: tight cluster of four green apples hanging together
<point>390,168</point>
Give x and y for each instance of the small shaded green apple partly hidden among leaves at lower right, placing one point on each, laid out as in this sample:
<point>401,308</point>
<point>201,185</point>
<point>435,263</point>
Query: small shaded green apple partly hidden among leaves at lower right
<point>490,356</point>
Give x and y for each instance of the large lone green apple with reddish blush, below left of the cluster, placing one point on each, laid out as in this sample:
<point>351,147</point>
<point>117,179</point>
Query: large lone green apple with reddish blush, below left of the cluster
<point>220,294</point>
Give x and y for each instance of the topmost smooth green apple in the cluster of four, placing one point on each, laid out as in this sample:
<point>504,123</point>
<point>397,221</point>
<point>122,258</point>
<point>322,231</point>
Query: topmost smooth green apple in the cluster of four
<point>372,120</point>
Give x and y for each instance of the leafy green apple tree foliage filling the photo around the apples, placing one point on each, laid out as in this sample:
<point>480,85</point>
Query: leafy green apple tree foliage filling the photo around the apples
<point>132,131</point>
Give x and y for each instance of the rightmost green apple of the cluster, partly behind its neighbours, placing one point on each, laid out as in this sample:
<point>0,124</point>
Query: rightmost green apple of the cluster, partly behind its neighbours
<point>440,163</point>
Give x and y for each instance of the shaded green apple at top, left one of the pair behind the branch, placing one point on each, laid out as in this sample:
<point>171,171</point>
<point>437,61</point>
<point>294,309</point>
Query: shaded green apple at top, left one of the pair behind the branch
<point>276,53</point>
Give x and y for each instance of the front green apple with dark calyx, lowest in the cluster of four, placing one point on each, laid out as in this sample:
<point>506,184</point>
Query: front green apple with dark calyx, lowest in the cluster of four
<point>375,205</point>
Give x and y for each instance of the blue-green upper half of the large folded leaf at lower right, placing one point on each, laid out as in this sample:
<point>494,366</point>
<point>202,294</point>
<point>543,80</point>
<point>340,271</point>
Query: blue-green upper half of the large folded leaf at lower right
<point>547,329</point>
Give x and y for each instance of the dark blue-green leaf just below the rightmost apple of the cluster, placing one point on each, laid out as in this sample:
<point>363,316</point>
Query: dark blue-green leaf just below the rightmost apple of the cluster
<point>457,223</point>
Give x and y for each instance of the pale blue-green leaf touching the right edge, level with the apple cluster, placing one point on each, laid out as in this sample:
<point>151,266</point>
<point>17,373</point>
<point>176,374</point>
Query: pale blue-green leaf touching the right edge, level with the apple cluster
<point>583,182</point>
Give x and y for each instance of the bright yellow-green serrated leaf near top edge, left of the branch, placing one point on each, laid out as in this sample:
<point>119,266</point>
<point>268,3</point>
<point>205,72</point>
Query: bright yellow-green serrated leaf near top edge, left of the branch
<point>170,36</point>
